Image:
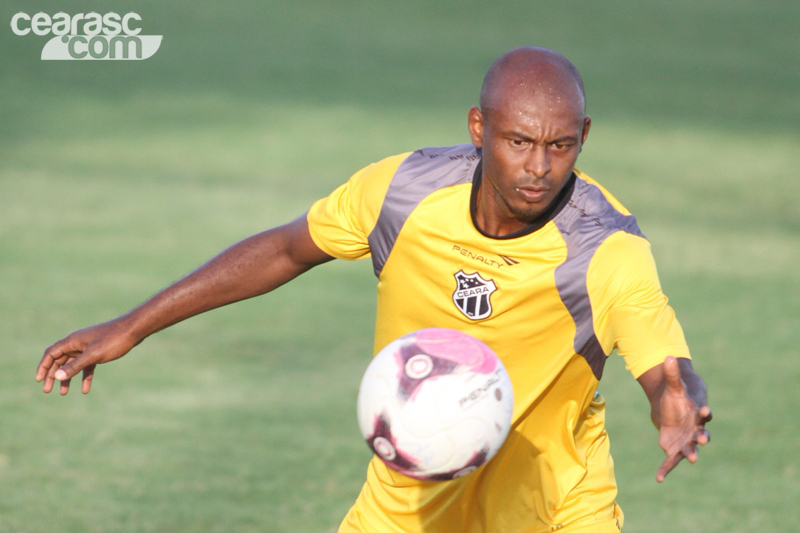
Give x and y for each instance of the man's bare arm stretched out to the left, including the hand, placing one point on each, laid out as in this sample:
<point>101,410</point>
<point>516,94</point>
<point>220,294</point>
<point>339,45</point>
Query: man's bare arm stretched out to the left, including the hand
<point>249,268</point>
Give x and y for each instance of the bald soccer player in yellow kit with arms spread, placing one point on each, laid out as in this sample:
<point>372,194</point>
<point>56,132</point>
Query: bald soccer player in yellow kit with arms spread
<point>562,277</point>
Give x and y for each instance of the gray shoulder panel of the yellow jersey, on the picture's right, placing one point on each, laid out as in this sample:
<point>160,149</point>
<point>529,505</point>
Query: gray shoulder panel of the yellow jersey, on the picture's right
<point>585,223</point>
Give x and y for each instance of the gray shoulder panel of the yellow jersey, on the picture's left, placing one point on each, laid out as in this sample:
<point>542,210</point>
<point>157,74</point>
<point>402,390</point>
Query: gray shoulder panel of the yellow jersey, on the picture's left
<point>422,173</point>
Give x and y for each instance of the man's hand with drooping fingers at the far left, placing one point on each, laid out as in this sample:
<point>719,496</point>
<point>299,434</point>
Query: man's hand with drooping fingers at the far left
<point>82,351</point>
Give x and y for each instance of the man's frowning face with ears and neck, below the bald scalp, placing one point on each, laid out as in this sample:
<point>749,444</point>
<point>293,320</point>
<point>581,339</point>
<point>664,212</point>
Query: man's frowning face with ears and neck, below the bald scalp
<point>529,146</point>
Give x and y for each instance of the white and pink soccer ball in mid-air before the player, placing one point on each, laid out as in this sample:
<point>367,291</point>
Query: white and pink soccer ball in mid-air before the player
<point>435,404</point>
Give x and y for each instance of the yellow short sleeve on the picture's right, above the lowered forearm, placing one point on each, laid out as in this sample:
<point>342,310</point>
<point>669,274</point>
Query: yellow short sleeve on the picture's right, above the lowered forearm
<point>630,311</point>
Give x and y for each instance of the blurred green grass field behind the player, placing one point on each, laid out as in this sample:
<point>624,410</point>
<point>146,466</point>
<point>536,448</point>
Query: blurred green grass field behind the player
<point>117,178</point>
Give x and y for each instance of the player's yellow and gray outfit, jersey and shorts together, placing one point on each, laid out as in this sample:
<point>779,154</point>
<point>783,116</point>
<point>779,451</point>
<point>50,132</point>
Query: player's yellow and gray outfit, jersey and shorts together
<point>553,301</point>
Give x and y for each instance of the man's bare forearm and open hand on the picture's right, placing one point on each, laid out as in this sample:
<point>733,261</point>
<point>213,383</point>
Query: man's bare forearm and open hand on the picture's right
<point>679,410</point>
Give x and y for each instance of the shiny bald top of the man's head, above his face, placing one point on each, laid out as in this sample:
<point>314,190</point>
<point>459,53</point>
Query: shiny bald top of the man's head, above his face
<point>531,72</point>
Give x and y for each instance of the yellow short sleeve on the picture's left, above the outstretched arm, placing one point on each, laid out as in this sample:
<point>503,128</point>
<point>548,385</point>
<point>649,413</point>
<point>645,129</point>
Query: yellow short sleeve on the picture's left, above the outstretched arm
<point>340,224</point>
